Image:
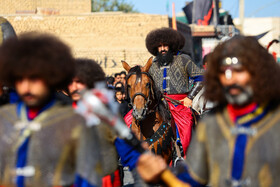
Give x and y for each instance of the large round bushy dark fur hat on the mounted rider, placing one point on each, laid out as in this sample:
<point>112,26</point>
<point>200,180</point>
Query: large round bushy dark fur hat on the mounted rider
<point>168,36</point>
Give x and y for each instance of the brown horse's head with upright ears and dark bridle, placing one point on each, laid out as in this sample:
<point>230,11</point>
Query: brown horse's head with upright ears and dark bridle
<point>139,87</point>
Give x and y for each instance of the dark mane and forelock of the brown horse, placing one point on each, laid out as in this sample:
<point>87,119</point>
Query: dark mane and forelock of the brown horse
<point>162,106</point>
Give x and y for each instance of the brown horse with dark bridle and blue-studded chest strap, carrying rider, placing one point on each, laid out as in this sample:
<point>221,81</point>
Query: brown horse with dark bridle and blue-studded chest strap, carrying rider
<point>152,120</point>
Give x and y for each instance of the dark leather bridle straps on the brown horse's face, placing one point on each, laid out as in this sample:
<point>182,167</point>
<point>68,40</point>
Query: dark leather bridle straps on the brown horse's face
<point>148,100</point>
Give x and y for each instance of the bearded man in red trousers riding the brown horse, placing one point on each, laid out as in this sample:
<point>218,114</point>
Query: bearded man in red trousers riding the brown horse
<point>171,72</point>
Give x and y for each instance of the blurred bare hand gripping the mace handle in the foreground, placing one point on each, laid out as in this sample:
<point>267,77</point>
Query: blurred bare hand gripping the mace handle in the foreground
<point>150,167</point>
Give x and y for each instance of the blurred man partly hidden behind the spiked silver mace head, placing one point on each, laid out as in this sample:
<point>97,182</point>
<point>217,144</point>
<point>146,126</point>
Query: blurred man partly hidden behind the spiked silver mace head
<point>88,74</point>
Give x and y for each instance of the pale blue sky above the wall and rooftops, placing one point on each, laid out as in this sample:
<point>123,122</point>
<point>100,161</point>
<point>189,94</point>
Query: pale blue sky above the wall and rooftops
<point>253,8</point>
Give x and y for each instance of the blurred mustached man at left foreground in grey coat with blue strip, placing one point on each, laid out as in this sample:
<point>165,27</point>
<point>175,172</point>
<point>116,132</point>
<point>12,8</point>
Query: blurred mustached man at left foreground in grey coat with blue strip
<point>39,136</point>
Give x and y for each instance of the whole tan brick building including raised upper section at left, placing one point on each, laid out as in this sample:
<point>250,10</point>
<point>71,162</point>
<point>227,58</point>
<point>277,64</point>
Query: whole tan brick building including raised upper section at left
<point>108,37</point>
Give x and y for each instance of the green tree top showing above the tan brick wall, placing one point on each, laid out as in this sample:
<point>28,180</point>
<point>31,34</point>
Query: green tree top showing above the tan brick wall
<point>111,5</point>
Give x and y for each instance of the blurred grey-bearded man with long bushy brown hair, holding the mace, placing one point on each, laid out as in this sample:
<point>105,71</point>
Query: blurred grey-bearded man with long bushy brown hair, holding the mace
<point>238,143</point>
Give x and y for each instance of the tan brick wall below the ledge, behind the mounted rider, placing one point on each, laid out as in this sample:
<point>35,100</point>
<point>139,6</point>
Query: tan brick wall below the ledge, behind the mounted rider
<point>105,37</point>
